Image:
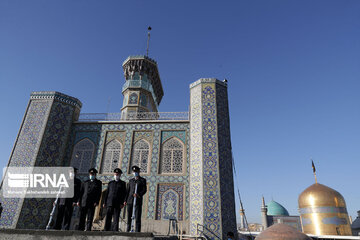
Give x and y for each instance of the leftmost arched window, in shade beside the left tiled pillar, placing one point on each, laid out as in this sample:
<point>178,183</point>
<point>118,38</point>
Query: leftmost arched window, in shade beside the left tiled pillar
<point>82,155</point>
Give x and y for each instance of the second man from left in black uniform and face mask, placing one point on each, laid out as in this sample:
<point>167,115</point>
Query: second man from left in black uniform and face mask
<point>89,198</point>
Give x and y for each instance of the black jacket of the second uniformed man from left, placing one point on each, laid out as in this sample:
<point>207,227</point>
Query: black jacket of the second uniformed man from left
<point>90,192</point>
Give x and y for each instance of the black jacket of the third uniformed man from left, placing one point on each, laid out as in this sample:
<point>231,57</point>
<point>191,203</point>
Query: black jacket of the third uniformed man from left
<point>115,194</point>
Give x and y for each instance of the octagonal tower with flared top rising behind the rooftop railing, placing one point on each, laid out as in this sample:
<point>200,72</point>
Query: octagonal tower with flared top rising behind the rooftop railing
<point>142,90</point>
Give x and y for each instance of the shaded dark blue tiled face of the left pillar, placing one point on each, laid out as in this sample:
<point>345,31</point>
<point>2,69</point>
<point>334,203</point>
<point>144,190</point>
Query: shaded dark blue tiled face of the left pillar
<point>35,212</point>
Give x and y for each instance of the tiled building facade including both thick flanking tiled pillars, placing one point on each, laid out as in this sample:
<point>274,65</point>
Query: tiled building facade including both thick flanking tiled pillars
<point>202,193</point>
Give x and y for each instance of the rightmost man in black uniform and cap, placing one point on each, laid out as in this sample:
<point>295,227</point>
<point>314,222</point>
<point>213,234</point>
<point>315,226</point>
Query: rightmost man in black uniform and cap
<point>141,190</point>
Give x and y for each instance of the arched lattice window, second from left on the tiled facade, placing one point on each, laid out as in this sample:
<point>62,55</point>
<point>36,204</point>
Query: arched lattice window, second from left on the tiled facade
<point>111,159</point>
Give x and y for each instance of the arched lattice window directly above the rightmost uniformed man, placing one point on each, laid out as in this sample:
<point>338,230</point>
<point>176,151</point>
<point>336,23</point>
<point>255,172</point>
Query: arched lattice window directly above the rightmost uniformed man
<point>140,155</point>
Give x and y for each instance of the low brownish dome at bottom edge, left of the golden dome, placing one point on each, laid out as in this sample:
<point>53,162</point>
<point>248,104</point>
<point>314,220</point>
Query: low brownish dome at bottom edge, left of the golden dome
<point>281,231</point>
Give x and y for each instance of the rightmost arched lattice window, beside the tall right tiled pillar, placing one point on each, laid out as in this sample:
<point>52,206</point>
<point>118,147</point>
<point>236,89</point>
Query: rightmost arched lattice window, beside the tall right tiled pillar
<point>172,156</point>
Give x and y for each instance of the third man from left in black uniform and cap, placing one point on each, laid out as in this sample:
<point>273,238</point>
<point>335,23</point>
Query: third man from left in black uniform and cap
<point>113,201</point>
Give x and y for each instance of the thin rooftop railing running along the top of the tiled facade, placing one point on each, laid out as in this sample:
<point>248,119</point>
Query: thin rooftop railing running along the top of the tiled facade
<point>134,116</point>
